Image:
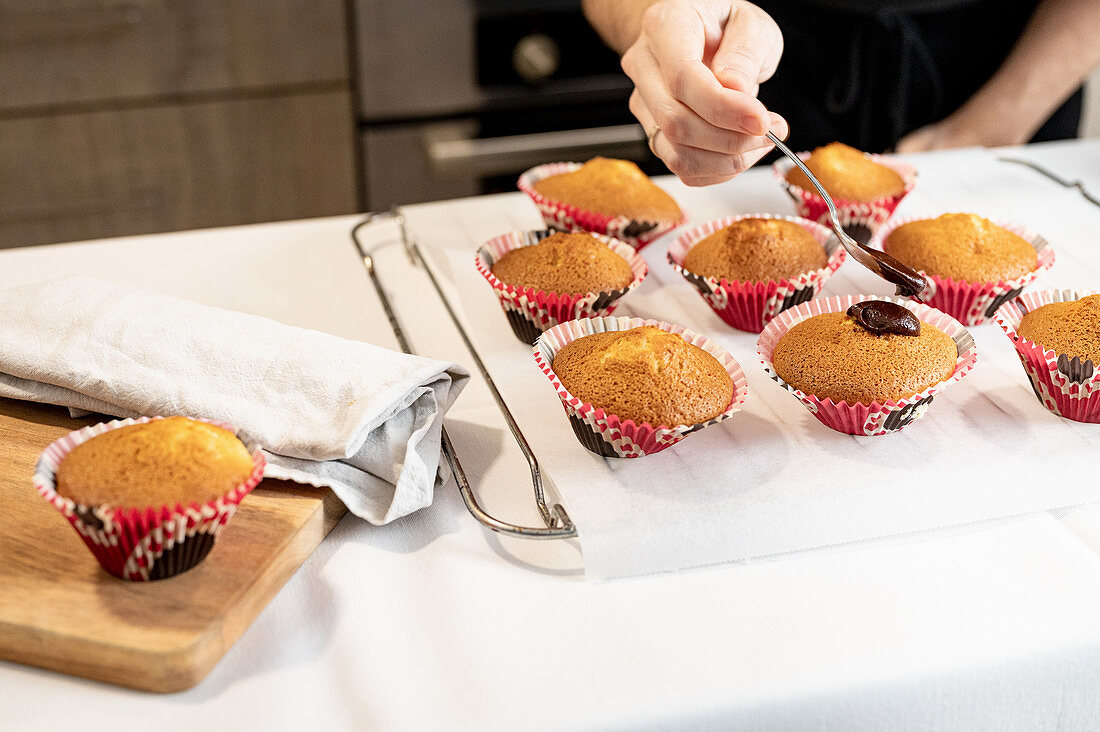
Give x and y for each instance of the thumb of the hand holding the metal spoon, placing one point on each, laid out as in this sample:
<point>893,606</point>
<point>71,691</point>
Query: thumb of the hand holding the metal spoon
<point>750,50</point>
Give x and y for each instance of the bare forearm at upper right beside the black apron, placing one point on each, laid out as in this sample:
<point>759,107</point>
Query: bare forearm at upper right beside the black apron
<point>1057,52</point>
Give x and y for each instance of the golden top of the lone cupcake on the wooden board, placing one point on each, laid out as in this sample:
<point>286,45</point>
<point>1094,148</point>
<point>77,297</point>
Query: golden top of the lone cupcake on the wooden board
<point>155,464</point>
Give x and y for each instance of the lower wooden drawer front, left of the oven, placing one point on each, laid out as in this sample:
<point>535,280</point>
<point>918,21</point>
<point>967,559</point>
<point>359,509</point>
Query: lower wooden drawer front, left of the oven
<point>168,168</point>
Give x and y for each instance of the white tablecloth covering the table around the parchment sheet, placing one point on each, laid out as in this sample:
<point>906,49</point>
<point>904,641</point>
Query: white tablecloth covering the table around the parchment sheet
<point>434,622</point>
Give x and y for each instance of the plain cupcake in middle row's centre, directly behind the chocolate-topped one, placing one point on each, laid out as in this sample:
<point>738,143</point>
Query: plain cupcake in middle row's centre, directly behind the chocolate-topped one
<point>760,247</point>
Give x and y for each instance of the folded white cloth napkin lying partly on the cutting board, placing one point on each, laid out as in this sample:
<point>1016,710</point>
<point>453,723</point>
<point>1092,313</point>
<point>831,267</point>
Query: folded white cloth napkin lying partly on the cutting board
<point>362,420</point>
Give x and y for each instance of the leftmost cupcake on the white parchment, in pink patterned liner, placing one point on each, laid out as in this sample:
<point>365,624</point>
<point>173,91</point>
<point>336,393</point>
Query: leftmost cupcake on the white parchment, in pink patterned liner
<point>579,276</point>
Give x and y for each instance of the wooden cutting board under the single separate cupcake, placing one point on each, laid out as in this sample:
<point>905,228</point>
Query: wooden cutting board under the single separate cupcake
<point>59,610</point>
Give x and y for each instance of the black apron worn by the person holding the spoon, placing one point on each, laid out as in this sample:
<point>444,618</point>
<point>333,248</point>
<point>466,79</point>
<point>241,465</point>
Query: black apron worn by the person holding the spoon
<point>867,73</point>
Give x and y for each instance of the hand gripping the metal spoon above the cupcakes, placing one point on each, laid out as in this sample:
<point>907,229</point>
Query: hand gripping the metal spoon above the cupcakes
<point>697,68</point>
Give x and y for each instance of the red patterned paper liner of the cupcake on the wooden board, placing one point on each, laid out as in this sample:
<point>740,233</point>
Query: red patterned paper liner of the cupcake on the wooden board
<point>141,544</point>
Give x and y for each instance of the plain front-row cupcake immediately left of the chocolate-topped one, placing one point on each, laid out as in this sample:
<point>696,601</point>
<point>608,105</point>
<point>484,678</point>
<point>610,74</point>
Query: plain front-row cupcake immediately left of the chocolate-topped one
<point>678,380</point>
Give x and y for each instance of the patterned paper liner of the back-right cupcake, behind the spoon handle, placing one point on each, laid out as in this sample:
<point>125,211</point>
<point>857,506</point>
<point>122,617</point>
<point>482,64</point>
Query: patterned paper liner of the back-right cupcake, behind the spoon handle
<point>860,220</point>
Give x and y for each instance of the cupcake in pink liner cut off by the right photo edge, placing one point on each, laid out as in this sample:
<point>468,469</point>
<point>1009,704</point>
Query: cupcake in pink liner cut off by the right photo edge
<point>1062,368</point>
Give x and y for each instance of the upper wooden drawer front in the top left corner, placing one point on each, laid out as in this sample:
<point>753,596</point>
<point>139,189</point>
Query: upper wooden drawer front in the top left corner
<point>59,53</point>
